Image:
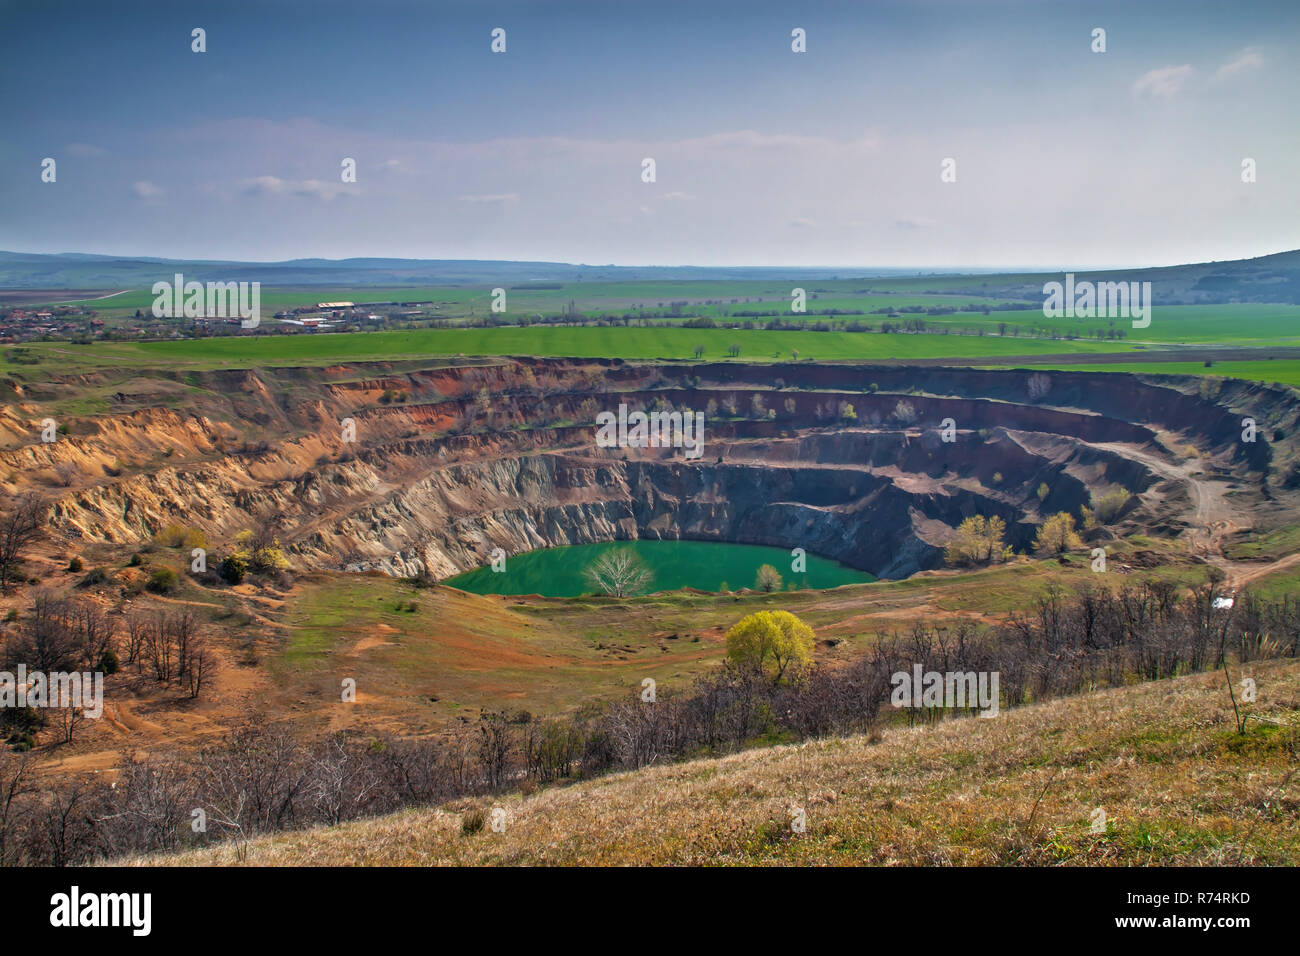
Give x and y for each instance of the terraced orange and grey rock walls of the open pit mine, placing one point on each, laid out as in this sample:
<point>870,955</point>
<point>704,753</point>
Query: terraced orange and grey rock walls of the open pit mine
<point>452,462</point>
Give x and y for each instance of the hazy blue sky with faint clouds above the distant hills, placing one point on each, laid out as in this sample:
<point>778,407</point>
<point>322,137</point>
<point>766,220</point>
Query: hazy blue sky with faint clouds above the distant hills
<point>1065,158</point>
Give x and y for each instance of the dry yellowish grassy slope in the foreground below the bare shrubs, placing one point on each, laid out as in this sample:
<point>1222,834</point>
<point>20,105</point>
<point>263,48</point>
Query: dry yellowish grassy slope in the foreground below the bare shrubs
<point>1164,762</point>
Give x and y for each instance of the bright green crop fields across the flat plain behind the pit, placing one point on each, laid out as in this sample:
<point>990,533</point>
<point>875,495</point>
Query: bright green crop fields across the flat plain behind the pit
<point>998,338</point>
